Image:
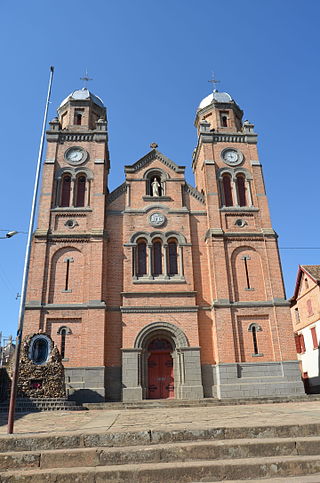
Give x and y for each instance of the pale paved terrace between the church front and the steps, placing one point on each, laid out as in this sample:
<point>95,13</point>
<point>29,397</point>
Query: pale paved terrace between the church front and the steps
<point>116,420</point>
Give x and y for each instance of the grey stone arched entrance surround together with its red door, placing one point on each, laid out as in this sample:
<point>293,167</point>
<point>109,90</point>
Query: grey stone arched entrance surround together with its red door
<point>162,365</point>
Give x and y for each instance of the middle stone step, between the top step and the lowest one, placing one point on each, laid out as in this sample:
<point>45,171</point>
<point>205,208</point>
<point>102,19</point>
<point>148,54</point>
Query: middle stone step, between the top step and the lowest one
<point>191,451</point>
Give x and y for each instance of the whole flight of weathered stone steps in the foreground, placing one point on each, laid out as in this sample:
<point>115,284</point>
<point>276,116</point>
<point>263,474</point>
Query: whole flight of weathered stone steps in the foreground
<point>214,454</point>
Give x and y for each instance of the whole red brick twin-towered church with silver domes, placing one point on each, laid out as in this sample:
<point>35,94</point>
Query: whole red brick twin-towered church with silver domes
<point>159,289</point>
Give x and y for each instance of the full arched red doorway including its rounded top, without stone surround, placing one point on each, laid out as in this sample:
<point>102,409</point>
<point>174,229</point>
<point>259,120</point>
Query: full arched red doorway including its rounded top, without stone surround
<point>160,369</point>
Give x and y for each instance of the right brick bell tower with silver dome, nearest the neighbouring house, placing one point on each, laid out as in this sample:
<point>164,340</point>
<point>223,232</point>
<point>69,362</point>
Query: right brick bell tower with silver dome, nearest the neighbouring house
<point>252,334</point>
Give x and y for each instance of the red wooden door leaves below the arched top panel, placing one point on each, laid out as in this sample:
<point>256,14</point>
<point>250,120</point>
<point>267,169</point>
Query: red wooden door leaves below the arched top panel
<point>160,375</point>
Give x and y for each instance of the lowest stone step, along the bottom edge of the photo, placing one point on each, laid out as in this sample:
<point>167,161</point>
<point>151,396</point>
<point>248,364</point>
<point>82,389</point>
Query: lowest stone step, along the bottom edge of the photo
<point>244,469</point>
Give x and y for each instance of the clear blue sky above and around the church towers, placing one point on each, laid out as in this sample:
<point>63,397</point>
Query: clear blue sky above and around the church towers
<point>151,62</point>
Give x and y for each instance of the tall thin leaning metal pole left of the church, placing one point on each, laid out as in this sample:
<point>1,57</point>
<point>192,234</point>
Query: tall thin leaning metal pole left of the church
<point>15,375</point>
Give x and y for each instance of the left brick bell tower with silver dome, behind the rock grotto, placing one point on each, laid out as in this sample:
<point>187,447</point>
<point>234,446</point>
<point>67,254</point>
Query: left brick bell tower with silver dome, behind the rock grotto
<point>64,300</point>
